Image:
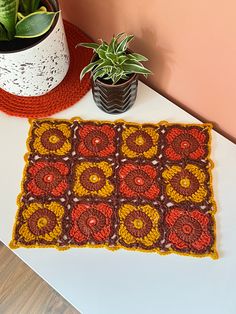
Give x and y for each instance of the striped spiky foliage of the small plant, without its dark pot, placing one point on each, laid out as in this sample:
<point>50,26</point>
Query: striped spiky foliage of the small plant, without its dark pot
<point>113,62</point>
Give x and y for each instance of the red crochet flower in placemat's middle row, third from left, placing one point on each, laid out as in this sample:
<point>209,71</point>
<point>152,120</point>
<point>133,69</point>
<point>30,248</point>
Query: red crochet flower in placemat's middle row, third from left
<point>138,181</point>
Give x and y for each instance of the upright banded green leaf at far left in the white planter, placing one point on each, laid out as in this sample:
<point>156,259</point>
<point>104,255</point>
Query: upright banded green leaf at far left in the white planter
<point>8,15</point>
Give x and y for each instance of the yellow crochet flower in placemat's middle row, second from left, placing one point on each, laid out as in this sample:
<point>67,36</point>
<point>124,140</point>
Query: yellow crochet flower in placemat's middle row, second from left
<point>92,179</point>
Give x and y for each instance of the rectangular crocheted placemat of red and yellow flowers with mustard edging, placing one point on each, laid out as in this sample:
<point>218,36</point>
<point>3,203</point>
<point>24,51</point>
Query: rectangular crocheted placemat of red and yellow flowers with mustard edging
<point>143,187</point>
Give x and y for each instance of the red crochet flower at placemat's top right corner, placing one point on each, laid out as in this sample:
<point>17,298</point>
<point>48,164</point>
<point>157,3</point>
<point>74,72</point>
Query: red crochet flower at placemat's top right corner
<point>182,143</point>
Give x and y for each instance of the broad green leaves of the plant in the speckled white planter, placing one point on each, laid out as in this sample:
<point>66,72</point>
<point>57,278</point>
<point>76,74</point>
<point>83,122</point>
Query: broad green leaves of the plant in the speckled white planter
<point>23,19</point>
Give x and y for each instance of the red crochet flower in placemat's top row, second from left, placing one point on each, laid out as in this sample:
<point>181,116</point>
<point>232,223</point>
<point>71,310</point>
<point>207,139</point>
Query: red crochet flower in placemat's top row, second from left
<point>96,140</point>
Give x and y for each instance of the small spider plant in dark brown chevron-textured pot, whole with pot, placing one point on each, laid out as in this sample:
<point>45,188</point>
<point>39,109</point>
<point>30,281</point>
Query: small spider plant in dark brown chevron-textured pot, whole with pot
<point>114,73</point>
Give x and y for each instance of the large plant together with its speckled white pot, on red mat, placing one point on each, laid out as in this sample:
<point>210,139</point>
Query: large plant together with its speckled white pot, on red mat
<point>34,56</point>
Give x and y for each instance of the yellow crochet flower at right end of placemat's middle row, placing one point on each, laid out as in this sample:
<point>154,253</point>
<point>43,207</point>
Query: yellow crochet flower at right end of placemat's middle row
<point>185,184</point>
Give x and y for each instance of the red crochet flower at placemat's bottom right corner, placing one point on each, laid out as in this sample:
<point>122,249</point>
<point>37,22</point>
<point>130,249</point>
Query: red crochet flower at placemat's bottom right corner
<point>189,230</point>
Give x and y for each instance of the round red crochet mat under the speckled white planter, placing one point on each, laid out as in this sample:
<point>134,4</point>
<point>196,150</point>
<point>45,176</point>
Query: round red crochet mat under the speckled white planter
<point>66,94</point>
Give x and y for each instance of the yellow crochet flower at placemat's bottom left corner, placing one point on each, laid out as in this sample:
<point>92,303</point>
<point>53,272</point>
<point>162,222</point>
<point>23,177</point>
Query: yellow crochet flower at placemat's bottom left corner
<point>42,222</point>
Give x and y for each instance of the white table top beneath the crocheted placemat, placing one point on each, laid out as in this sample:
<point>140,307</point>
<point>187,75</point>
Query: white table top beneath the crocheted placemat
<point>98,281</point>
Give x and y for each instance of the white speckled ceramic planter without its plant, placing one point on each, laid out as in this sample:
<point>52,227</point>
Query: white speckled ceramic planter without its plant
<point>36,70</point>
